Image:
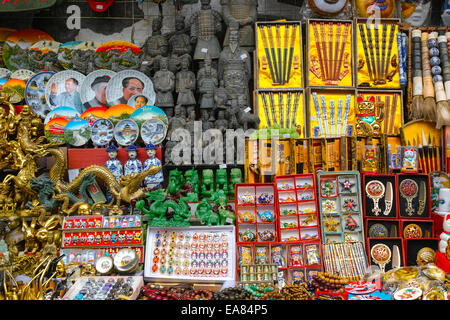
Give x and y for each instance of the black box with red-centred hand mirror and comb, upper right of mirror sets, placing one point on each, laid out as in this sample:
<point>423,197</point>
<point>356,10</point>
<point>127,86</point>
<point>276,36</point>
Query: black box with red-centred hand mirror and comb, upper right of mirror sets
<point>414,199</point>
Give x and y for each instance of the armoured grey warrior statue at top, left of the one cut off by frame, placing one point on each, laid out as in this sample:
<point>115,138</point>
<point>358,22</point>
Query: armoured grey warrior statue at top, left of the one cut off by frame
<point>205,24</point>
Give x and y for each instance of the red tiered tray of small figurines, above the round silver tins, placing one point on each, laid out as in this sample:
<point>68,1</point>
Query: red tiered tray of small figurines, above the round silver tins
<point>86,239</point>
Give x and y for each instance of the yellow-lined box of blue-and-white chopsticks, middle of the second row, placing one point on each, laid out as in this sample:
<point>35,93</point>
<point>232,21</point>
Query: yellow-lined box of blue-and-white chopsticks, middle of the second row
<point>316,126</point>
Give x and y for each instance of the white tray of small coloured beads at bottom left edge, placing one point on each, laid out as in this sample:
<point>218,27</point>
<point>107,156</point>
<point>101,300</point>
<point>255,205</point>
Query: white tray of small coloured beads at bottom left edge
<point>104,288</point>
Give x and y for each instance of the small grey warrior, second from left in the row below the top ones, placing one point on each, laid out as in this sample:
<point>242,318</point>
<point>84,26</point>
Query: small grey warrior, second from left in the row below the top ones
<point>185,86</point>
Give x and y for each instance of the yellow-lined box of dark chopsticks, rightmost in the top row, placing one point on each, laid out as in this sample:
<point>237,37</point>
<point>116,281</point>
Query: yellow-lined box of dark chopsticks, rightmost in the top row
<point>377,54</point>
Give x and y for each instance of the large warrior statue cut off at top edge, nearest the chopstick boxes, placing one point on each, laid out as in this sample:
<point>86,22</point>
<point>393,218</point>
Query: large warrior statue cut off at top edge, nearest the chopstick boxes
<point>243,12</point>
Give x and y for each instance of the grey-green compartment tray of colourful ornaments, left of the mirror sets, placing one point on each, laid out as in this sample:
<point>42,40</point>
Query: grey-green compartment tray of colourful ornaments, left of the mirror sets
<point>340,206</point>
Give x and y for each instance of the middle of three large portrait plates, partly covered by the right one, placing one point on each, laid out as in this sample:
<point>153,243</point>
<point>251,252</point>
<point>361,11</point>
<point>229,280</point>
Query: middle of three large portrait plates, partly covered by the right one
<point>89,97</point>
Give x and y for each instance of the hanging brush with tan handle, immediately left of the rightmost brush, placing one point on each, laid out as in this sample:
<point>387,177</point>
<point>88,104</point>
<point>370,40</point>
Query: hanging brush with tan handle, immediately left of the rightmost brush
<point>429,102</point>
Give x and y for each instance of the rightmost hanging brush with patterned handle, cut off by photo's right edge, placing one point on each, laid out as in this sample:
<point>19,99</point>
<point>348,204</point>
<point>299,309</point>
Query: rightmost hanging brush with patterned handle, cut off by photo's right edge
<point>443,108</point>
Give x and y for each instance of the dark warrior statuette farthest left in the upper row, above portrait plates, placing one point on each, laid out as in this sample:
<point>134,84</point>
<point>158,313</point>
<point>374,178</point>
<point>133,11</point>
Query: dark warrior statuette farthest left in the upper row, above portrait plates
<point>155,47</point>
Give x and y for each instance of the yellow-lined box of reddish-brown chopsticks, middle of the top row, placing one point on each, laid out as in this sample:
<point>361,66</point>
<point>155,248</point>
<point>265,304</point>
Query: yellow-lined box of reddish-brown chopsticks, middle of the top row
<point>343,54</point>
